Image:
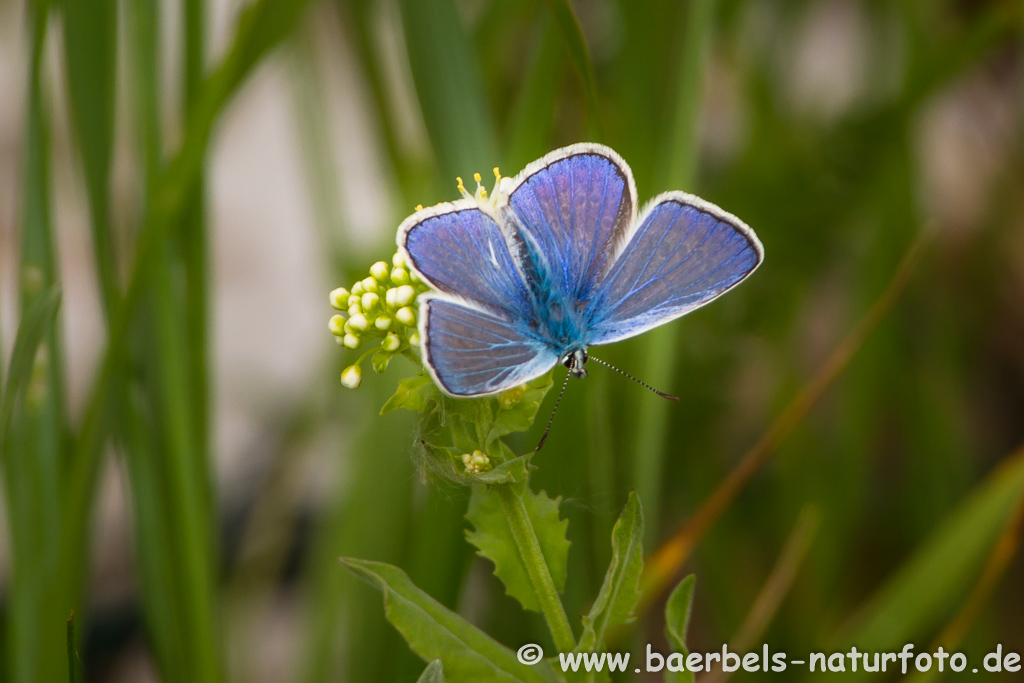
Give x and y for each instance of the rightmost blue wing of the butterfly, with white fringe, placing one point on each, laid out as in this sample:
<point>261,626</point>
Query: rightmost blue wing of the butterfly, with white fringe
<point>685,253</point>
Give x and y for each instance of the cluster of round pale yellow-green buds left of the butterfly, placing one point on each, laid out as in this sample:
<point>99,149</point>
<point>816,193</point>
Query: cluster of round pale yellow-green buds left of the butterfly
<point>382,308</point>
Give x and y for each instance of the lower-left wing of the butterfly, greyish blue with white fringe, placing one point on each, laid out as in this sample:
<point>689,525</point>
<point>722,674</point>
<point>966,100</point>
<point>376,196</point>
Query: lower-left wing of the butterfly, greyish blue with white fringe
<point>472,352</point>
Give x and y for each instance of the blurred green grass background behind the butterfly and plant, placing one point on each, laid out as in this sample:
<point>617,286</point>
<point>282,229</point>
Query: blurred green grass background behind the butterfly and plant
<point>182,184</point>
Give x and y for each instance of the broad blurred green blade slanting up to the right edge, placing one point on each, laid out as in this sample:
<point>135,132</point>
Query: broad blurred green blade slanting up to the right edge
<point>942,572</point>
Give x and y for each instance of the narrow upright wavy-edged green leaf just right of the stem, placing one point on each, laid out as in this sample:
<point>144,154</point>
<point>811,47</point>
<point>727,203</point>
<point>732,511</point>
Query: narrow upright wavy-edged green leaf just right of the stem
<point>621,590</point>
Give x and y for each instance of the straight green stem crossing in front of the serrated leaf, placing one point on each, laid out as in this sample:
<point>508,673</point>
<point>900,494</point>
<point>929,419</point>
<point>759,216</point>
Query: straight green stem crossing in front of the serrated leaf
<point>537,568</point>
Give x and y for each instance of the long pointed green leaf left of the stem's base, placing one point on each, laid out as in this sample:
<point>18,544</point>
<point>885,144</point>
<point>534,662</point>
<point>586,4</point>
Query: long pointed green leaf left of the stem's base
<point>435,632</point>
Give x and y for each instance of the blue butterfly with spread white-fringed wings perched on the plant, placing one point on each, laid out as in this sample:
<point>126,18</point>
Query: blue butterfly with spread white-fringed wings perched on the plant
<point>558,261</point>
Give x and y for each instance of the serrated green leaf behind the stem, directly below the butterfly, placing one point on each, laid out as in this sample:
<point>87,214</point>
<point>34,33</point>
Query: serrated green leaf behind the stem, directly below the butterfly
<point>494,540</point>
